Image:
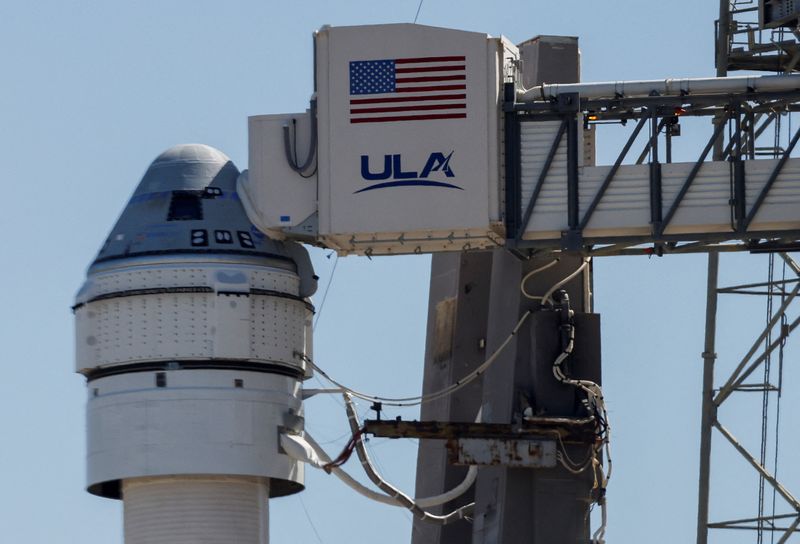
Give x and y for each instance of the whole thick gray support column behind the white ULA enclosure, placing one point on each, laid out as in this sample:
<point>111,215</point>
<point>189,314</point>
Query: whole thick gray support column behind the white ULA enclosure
<point>476,296</point>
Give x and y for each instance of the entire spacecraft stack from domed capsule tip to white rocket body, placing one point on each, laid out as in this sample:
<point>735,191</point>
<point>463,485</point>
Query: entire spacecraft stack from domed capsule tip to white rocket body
<point>191,330</point>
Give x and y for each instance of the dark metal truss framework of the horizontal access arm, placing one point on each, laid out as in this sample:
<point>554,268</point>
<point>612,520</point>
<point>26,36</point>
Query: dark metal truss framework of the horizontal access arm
<point>745,116</point>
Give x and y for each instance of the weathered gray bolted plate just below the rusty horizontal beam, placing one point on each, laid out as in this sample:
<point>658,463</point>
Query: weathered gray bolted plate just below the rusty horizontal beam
<point>509,453</point>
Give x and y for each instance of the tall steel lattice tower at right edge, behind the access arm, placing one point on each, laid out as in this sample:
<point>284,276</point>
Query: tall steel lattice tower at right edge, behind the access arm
<point>742,43</point>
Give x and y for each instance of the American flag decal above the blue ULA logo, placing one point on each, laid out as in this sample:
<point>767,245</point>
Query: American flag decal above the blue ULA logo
<point>412,89</point>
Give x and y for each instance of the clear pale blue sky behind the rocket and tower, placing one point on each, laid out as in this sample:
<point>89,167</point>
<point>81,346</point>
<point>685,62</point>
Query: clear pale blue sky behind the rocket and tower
<point>92,91</point>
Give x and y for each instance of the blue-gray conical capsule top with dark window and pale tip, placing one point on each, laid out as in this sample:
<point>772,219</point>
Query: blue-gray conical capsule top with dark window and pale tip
<point>186,203</point>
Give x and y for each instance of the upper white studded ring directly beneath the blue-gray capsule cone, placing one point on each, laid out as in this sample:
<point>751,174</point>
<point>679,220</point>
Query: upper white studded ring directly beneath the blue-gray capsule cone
<point>227,323</point>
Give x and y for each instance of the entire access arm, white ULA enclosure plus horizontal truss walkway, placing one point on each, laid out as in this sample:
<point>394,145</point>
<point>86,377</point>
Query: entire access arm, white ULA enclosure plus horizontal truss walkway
<point>422,139</point>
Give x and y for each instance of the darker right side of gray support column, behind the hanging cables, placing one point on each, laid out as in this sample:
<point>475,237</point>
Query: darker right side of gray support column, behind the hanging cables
<point>542,506</point>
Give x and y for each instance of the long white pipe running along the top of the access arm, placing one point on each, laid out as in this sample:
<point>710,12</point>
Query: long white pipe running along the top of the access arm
<point>663,87</point>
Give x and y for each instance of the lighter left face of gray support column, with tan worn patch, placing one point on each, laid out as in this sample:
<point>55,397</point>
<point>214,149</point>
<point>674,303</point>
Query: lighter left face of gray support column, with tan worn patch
<point>457,314</point>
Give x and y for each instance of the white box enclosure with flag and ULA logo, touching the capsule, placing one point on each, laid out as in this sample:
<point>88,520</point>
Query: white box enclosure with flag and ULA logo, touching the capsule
<point>407,144</point>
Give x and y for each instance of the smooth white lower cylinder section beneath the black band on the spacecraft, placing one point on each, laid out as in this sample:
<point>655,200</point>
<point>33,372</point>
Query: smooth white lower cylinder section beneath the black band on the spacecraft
<point>199,422</point>
